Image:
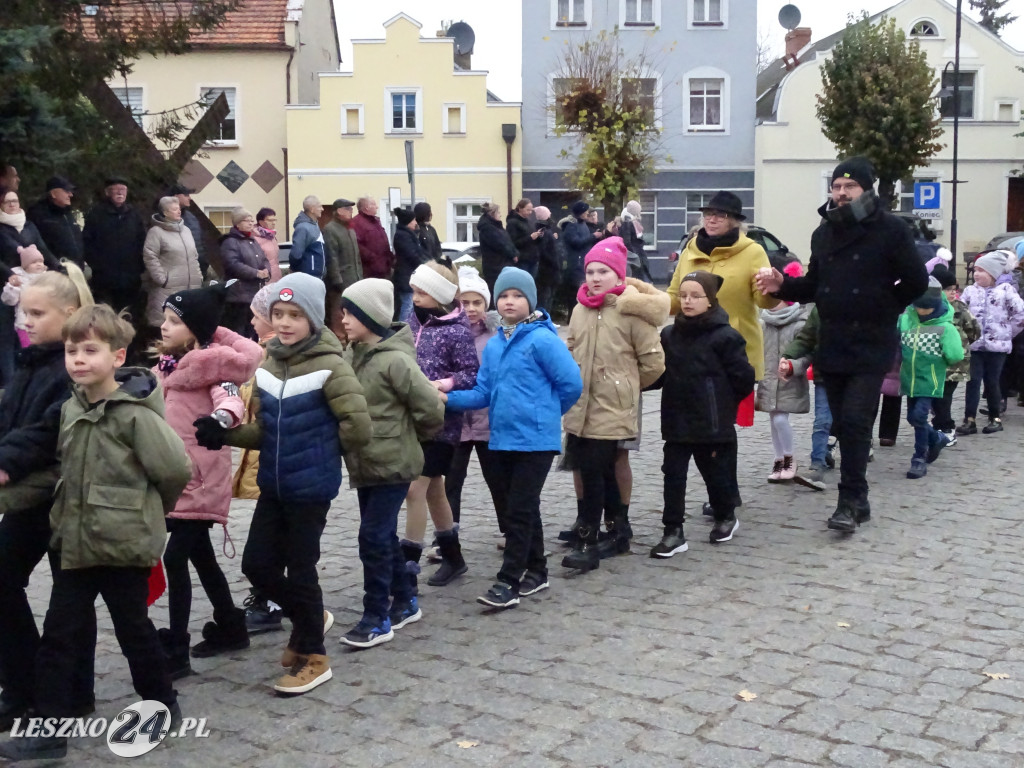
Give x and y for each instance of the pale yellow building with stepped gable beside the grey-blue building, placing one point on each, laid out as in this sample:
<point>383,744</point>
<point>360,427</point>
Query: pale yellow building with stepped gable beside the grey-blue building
<point>407,88</point>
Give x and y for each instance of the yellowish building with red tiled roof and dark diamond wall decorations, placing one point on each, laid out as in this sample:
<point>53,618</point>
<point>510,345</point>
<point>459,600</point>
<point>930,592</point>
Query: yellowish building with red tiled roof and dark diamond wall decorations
<point>266,55</point>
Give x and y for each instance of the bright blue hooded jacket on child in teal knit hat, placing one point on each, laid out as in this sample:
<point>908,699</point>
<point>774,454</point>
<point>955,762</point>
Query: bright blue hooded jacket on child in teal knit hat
<point>528,381</point>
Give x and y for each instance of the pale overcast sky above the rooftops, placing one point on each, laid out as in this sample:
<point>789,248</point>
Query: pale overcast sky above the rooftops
<point>498,28</point>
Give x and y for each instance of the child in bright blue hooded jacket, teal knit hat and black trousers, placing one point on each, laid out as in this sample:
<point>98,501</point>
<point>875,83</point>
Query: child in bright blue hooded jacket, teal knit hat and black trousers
<point>529,380</point>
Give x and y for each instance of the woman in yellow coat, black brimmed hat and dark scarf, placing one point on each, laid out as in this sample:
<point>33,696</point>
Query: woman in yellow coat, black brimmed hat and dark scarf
<point>720,248</point>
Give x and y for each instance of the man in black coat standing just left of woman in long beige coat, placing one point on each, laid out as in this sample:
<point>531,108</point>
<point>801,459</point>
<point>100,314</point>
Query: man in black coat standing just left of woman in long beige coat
<point>113,238</point>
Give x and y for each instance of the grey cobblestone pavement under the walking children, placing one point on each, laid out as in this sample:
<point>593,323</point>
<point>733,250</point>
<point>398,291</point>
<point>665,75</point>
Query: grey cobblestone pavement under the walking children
<point>868,651</point>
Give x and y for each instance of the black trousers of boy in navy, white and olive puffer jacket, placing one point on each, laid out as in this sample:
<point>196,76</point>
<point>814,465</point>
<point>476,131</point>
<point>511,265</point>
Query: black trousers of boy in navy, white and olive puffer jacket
<point>286,538</point>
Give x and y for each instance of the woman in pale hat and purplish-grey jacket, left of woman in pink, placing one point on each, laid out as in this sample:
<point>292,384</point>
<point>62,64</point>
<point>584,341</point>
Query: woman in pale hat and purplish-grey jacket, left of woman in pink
<point>244,262</point>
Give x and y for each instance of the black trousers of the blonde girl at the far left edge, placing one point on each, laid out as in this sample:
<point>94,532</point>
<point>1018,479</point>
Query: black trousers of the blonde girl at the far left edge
<point>24,540</point>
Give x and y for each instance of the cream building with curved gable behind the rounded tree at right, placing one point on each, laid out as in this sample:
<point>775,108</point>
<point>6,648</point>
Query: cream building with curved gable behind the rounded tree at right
<point>795,160</point>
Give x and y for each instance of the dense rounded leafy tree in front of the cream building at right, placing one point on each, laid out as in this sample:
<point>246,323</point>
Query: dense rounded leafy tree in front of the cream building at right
<point>877,101</point>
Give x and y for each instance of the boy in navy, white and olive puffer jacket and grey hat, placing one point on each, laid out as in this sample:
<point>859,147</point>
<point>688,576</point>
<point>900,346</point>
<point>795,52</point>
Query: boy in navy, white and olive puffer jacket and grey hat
<point>309,408</point>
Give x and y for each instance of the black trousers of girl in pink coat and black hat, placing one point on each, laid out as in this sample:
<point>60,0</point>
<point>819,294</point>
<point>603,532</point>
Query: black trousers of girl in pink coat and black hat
<point>190,542</point>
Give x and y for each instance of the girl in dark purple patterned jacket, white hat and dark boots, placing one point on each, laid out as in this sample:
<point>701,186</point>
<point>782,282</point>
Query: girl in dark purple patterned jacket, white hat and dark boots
<point>447,354</point>
